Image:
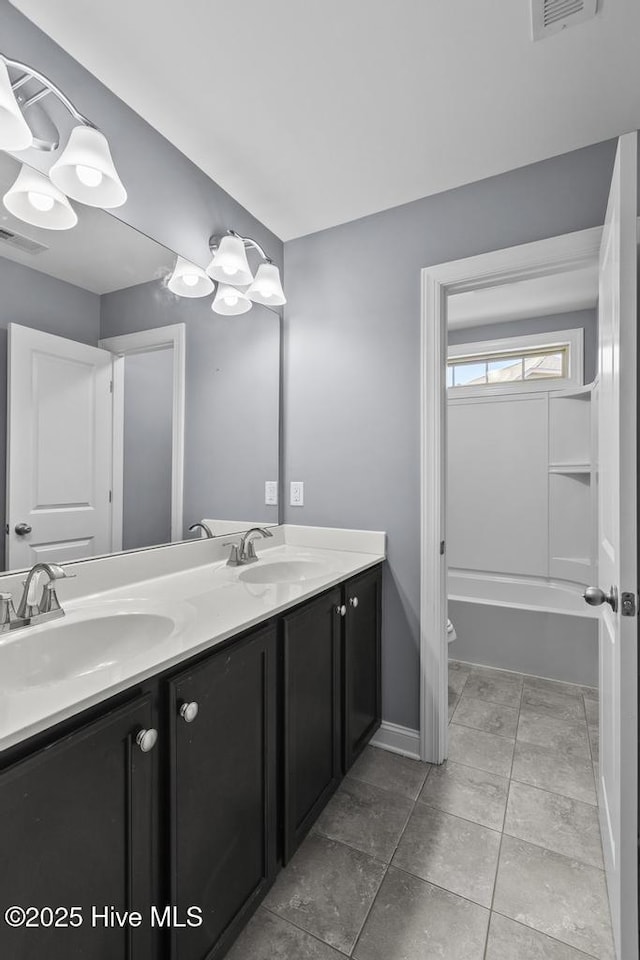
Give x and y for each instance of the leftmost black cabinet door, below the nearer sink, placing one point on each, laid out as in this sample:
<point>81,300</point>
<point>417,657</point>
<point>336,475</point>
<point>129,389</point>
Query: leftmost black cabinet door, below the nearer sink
<point>76,826</point>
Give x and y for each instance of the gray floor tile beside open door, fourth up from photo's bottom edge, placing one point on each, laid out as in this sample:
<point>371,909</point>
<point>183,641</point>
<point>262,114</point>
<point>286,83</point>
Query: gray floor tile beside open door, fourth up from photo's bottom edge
<point>557,770</point>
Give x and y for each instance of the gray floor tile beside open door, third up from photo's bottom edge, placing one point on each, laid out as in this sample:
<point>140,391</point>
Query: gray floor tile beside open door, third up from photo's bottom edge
<point>558,823</point>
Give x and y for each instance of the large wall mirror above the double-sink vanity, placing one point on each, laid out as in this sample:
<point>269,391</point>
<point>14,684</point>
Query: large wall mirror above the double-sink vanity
<point>131,413</point>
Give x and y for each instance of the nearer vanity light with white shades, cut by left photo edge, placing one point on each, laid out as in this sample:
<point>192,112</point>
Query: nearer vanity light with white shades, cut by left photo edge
<point>84,170</point>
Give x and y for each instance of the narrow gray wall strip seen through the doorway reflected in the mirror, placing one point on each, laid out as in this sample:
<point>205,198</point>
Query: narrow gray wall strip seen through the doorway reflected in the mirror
<point>148,435</point>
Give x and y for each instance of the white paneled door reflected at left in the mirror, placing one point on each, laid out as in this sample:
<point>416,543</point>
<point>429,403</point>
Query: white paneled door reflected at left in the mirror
<point>59,449</point>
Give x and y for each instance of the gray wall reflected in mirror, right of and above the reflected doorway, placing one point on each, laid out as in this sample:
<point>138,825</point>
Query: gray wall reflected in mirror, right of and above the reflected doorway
<point>232,397</point>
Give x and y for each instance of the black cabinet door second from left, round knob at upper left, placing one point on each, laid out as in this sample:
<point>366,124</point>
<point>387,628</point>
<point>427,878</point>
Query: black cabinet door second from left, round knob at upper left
<point>223,789</point>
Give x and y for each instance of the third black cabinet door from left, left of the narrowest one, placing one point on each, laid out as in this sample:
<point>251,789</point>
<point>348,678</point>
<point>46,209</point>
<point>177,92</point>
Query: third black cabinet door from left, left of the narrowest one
<point>312,713</point>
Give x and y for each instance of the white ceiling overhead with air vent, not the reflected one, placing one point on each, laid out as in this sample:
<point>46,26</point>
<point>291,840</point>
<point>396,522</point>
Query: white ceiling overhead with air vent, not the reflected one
<point>313,114</point>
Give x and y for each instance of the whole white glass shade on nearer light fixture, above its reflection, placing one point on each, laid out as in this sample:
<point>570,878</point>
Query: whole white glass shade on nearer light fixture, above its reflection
<point>85,170</point>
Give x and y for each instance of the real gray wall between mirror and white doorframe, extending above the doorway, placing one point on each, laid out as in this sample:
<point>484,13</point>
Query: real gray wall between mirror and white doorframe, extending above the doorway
<point>352,362</point>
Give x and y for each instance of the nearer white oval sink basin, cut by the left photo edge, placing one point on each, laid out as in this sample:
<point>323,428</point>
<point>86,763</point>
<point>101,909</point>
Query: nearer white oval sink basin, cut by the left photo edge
<point>73,647</point>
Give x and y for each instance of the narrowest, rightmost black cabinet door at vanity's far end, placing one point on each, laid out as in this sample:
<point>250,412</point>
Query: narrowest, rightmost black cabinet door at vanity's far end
<point>362,688</point>
